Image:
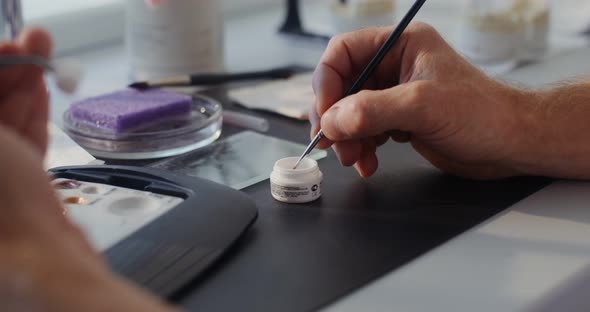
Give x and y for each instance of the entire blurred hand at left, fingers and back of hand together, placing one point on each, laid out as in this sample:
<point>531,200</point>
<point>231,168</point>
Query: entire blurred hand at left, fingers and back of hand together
<point>46,263</point>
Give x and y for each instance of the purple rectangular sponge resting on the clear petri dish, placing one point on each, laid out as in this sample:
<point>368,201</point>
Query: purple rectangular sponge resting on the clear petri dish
<point>131,109</point>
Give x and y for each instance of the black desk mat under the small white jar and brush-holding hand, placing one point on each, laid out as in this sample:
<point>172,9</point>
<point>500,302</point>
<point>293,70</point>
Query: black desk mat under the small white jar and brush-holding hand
<point>302,257</point>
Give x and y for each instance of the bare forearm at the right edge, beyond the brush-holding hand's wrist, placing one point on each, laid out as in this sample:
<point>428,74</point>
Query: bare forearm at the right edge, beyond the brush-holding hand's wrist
<point>555,132</point>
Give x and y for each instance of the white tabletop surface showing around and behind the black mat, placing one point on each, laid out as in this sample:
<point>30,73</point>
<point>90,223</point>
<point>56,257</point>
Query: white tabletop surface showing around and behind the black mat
<point>506,264</point>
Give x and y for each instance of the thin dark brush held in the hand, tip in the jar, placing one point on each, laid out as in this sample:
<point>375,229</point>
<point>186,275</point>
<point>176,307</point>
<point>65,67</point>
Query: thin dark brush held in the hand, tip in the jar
<point>358,84</point>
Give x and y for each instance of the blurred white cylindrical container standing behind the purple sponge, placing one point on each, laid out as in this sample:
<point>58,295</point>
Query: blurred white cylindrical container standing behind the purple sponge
<point>171,37</point>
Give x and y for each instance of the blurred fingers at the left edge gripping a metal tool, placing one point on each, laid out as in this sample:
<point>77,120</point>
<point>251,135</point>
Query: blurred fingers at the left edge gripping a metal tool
<point>23,95</point>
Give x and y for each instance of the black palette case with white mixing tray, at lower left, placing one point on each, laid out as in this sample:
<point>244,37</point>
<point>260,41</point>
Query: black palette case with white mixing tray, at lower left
<point>156,228</point>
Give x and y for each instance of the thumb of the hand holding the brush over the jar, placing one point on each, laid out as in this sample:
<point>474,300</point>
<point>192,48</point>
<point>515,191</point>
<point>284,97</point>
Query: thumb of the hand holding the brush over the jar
<point>373,112</point>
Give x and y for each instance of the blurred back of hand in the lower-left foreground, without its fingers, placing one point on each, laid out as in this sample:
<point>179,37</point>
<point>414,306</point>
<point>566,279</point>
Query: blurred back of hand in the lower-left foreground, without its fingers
<point>46,263</point>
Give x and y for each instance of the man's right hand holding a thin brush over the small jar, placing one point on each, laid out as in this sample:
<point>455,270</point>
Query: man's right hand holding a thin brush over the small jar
<point>424,93</point>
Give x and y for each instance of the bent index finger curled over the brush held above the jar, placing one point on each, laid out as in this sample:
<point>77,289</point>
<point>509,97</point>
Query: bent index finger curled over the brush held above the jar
<point>348,54</point>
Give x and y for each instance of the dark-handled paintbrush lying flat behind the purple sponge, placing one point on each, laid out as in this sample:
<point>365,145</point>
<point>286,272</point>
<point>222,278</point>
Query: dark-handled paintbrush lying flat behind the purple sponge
<point>213,79</point>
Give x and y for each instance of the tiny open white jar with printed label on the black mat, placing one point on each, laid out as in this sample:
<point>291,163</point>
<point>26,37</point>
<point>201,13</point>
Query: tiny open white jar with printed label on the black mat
<point>301,185</point>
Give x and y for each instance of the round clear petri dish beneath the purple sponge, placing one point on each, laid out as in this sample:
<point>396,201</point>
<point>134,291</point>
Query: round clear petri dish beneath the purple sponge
<point>169,138</point>
